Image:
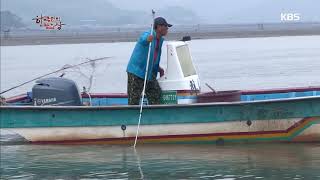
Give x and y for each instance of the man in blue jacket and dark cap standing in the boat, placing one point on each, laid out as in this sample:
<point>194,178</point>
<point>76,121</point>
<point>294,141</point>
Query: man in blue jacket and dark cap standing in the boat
<point>137,64</point>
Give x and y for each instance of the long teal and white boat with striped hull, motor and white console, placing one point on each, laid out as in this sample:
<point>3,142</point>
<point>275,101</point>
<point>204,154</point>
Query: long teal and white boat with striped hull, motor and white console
<point>55,111</point>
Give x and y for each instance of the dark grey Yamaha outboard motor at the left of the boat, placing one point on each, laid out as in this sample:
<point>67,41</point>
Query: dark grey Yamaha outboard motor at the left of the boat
<point>56,91</point>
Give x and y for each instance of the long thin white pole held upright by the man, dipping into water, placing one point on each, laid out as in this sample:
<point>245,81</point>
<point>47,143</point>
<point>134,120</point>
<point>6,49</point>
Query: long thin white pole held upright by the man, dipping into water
<point>145,82</point>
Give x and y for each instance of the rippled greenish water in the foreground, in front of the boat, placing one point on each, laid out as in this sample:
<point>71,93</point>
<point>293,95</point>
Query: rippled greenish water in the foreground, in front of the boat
<point>268,161</point>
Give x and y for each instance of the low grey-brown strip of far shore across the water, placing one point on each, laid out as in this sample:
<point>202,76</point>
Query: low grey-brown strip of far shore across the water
<point>110,37</point>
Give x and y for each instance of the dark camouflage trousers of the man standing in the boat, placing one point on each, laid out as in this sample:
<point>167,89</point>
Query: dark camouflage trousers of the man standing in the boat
<point>135,88</point>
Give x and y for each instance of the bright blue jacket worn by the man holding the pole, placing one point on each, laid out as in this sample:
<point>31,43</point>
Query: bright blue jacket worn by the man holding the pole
<point>138,60</point>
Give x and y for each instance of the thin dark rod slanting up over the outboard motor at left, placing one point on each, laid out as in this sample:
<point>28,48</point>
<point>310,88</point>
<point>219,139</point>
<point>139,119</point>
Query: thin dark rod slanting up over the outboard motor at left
<point>63,68</point>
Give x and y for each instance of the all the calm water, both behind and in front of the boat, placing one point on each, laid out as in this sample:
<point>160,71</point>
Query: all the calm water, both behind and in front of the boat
<point>248,63</point>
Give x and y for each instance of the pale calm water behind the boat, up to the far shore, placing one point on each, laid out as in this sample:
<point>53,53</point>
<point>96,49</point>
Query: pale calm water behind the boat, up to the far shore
<point>225,64</point>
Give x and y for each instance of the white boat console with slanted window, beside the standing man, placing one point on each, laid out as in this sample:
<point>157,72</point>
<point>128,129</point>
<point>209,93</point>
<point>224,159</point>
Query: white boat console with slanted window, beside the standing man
<point>180,83</point>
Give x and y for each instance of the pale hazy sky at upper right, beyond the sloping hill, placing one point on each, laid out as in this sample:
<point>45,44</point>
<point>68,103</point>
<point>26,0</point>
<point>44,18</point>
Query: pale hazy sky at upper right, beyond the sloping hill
<point>237,11</point>
